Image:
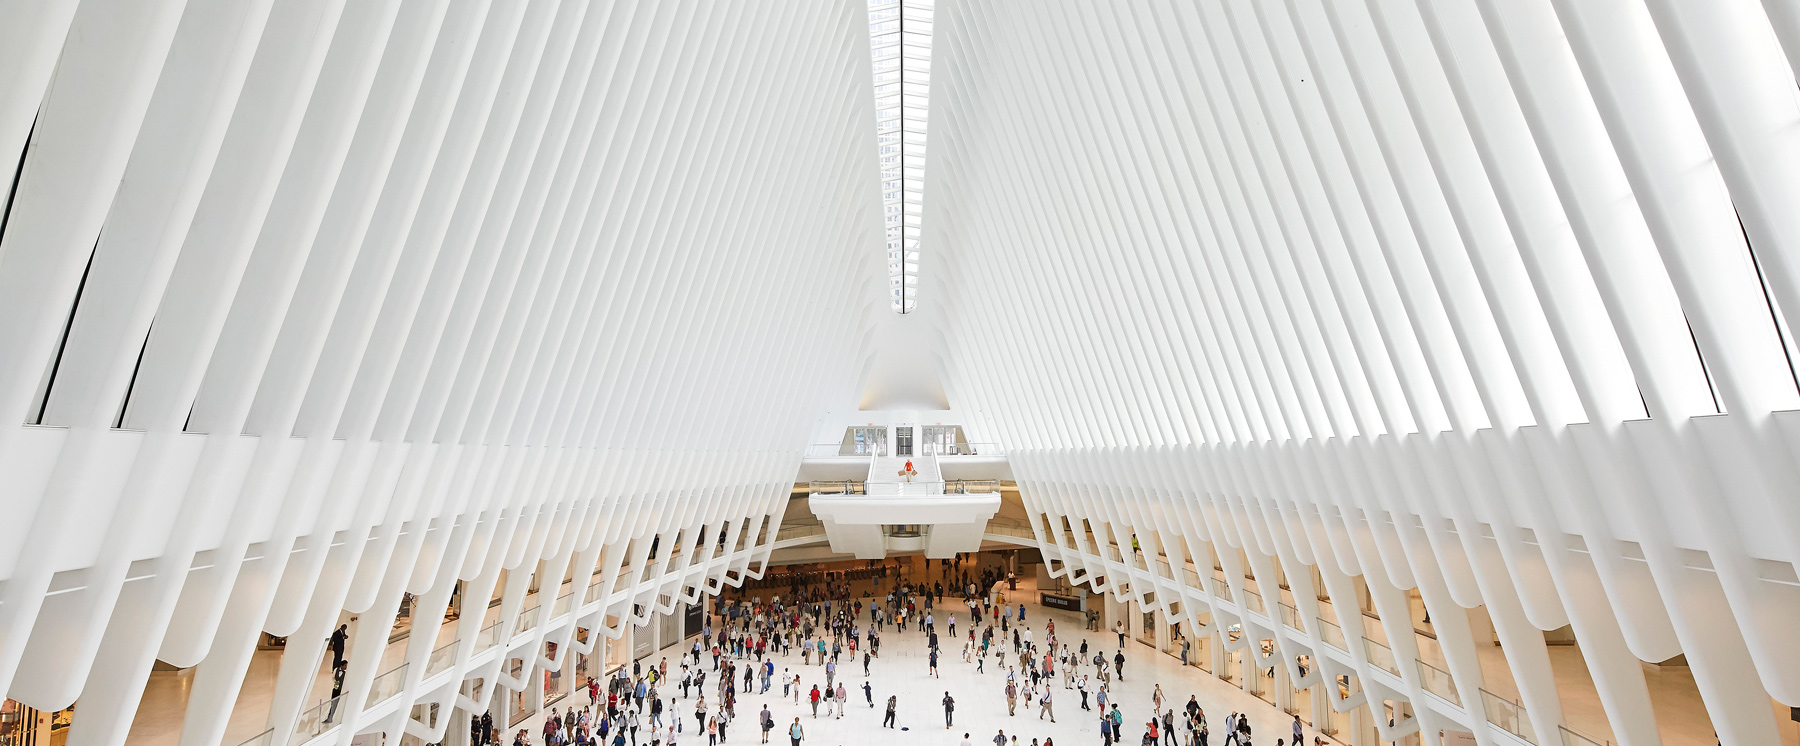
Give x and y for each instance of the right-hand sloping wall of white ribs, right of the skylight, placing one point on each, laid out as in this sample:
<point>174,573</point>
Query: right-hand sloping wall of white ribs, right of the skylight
<point>1479,304</point>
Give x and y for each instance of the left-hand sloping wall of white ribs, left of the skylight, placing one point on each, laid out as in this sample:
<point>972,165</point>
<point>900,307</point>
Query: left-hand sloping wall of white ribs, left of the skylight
<point>312,307</point>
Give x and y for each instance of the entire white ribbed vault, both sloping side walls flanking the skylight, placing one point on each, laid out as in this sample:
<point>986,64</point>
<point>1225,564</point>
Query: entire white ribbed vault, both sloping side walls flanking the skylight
<point>312,307</point>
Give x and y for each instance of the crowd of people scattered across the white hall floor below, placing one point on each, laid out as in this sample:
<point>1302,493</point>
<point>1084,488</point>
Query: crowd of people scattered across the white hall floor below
<point>818,624</point>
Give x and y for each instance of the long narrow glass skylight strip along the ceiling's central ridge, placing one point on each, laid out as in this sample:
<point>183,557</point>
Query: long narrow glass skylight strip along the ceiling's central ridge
<point>901,44</point>
